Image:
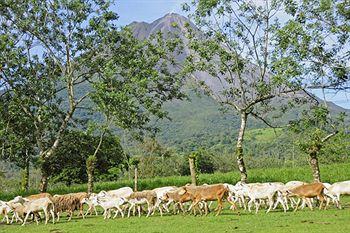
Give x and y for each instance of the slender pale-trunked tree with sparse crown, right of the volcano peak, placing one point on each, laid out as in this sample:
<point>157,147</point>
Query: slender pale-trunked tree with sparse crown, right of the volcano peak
<point>237,50</point>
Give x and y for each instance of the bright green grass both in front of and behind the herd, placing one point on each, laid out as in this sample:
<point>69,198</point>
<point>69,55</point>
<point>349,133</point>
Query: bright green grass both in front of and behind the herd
<point>331,220</point>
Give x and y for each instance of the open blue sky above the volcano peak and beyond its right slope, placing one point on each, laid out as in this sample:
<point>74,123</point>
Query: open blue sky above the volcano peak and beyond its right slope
<point>150,10</point>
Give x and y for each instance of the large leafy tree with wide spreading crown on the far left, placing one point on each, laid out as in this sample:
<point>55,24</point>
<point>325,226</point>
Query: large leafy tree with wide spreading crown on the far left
<point>64,44</point>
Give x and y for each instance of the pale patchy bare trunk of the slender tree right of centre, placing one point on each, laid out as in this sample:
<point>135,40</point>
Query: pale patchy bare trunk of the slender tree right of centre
<point>239,148</point>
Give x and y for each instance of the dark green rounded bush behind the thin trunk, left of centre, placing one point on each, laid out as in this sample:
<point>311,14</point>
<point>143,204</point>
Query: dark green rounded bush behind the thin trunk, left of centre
<point>76,152</point>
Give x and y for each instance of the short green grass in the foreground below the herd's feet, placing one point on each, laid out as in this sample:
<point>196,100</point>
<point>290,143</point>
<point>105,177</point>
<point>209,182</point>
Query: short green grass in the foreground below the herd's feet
<point>331,220</point>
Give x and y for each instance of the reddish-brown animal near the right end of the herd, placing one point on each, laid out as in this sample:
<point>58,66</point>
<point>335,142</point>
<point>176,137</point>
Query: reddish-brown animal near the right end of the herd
<point>308,191</point>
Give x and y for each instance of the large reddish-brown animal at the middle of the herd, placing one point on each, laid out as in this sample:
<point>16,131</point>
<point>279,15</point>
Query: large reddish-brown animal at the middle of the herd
<point>205,193</point>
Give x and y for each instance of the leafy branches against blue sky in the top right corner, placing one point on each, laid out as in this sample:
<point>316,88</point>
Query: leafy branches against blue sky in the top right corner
<point>316,38</point>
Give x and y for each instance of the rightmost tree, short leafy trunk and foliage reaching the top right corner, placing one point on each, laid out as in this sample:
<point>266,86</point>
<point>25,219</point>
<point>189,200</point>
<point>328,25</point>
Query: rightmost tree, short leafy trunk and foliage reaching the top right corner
<point>317,37</point>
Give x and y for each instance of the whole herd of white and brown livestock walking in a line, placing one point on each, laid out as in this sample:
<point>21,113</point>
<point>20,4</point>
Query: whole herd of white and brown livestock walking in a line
<point>296,194</point>
